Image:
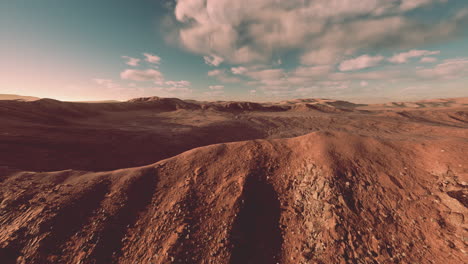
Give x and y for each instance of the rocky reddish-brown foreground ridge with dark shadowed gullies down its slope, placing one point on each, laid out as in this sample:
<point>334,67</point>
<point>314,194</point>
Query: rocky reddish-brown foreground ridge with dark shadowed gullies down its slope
<point>326,197</point>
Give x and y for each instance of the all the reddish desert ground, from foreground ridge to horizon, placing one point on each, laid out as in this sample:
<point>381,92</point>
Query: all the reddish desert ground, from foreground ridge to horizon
<point>302,181</point>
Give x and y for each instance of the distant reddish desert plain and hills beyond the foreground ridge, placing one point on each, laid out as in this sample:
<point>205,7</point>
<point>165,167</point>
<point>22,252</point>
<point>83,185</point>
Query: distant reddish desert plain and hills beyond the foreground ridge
<point>49,135</point>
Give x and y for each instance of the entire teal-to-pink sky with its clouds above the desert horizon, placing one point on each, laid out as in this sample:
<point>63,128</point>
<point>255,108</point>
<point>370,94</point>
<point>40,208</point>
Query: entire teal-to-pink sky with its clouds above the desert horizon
<point>262,50</point>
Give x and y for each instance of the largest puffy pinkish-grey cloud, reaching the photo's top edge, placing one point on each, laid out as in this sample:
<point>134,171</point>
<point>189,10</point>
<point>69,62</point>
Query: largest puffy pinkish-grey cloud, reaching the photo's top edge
<point>323,31</point>
